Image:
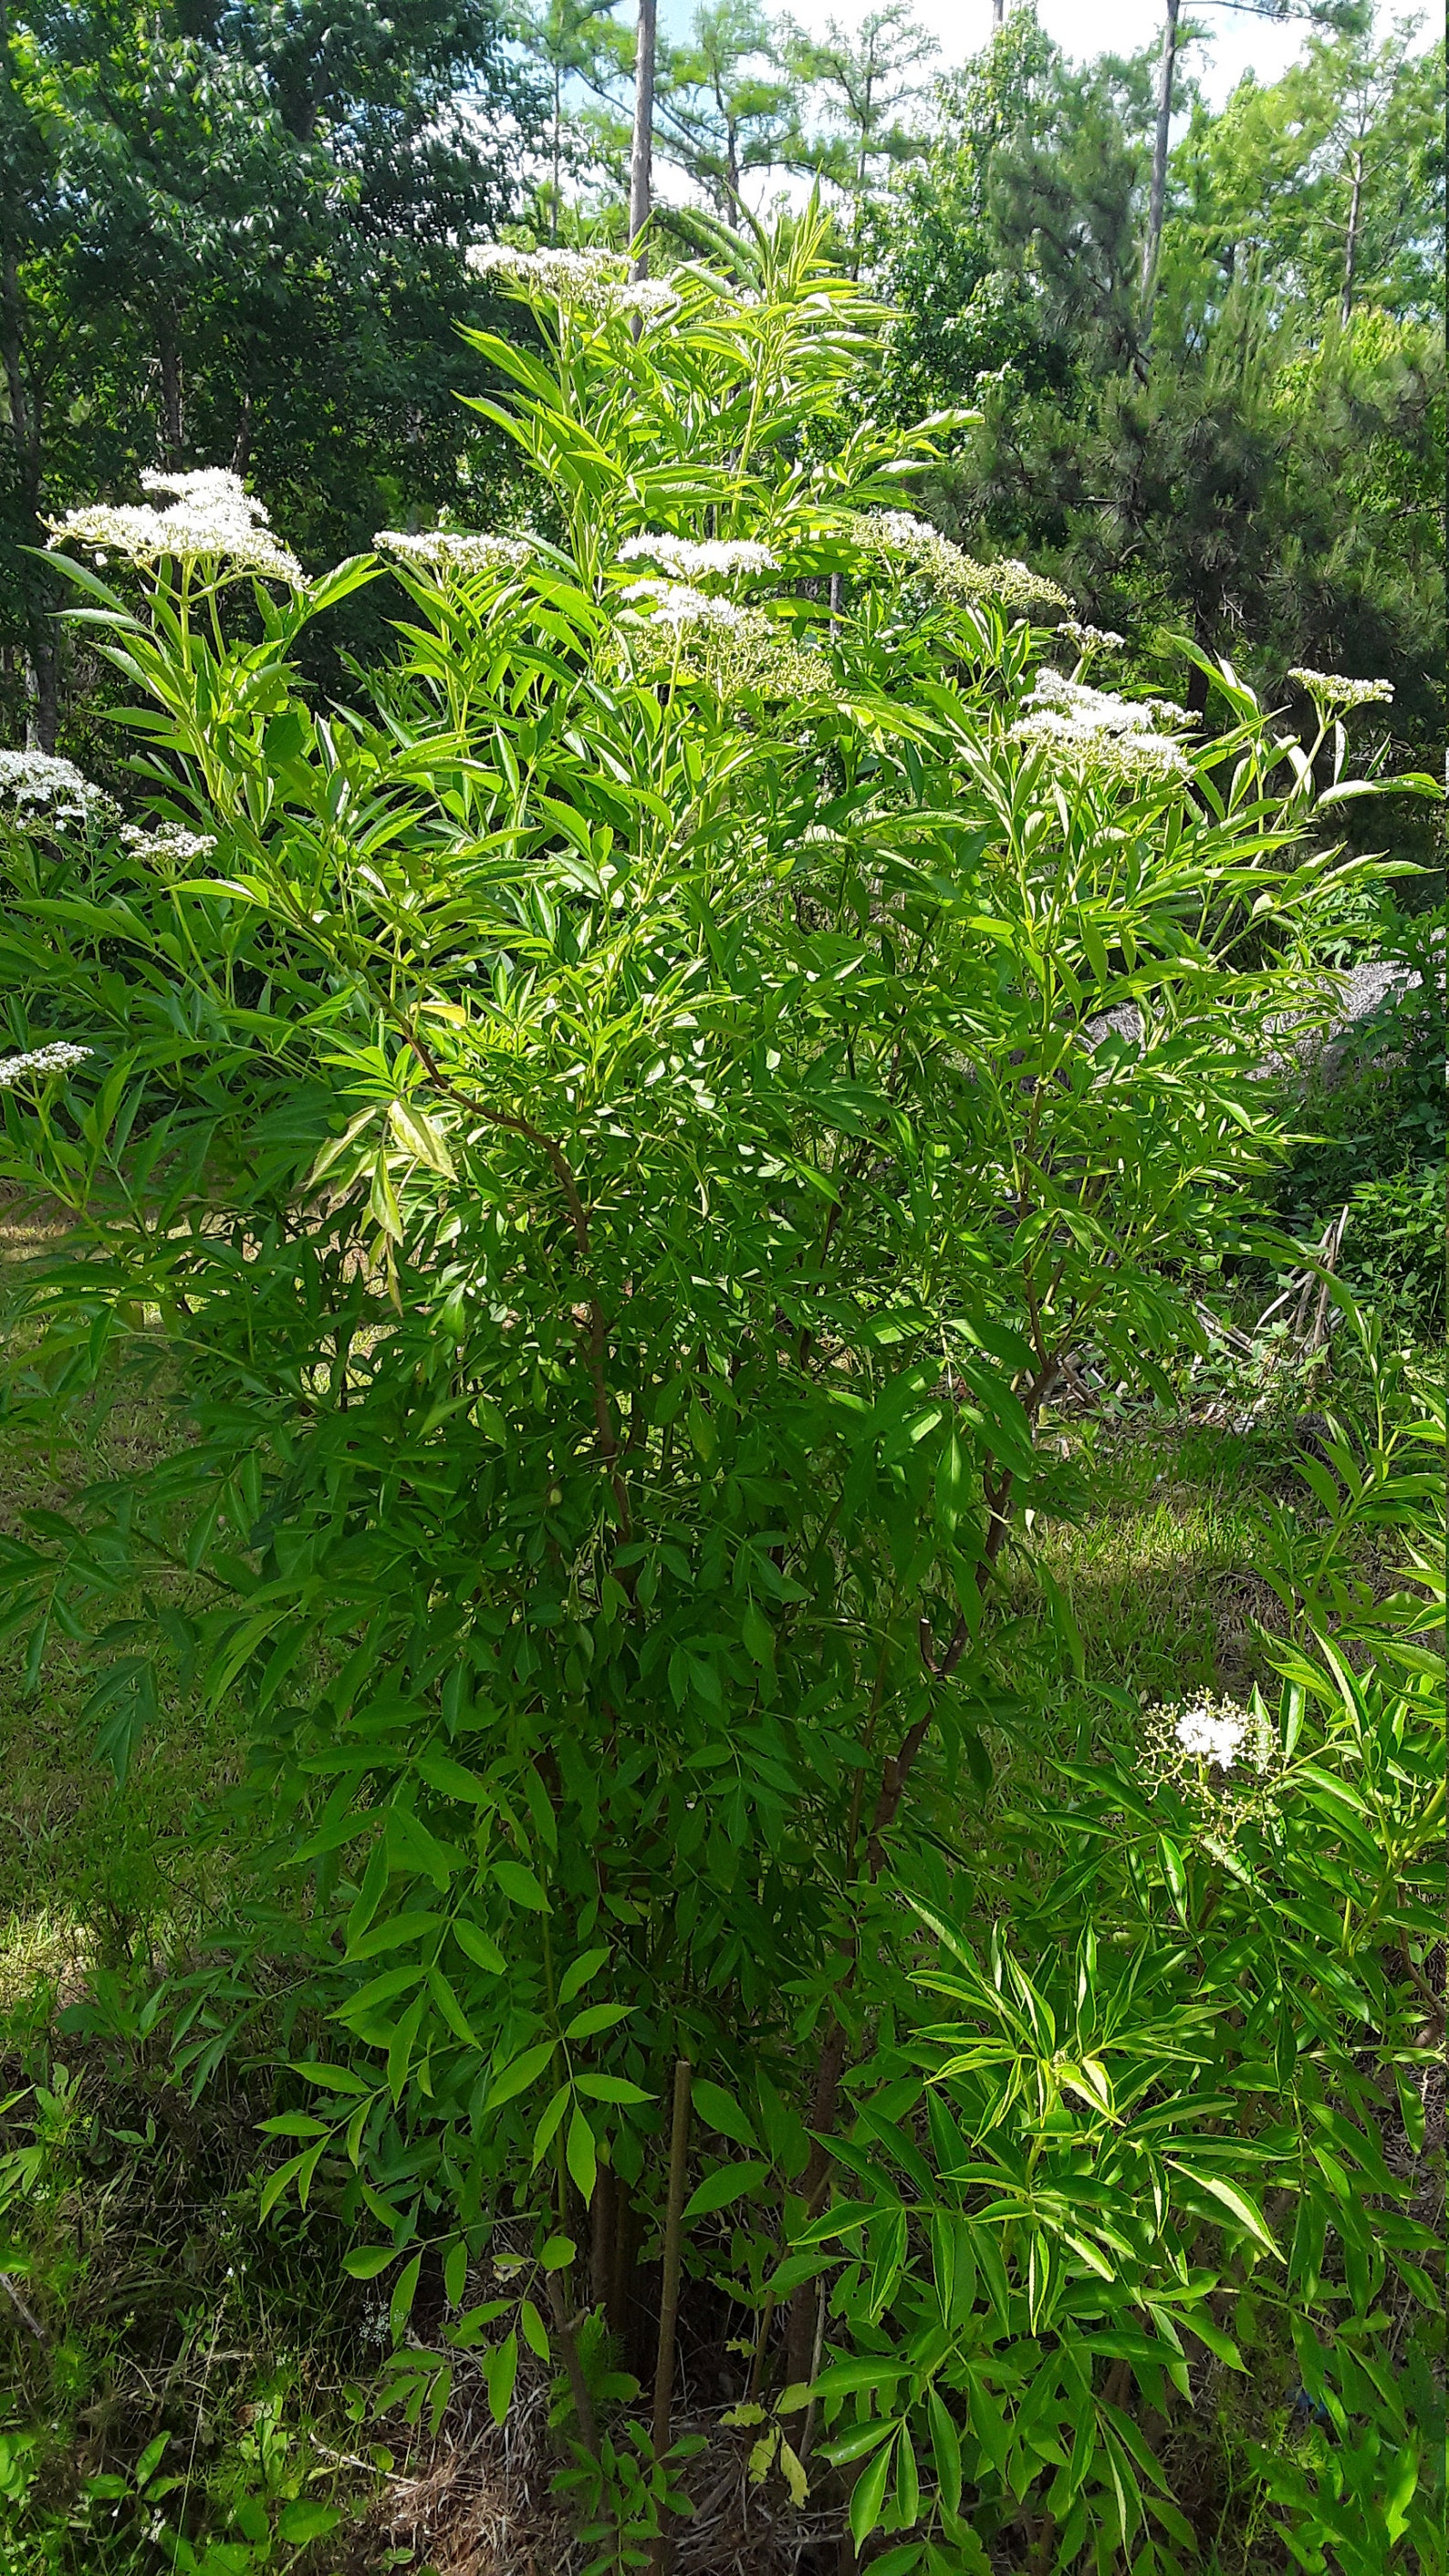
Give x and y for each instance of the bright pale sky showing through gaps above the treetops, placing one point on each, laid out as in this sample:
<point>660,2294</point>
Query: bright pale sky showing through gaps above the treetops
<point>1239,43</point>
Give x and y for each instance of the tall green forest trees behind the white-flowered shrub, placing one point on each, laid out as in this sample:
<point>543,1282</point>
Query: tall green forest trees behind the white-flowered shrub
<point>236,236</point>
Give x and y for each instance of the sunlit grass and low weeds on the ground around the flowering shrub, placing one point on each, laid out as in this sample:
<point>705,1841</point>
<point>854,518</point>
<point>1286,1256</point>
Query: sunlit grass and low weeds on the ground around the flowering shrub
<point>187,2384</point>
